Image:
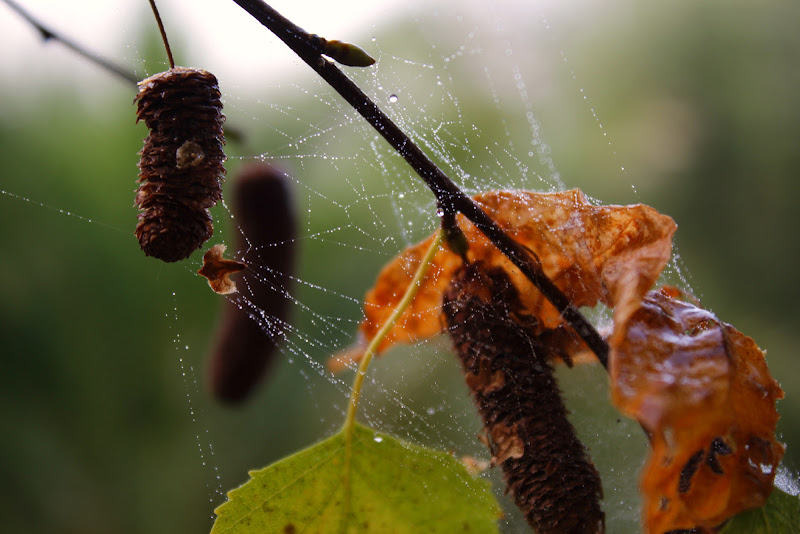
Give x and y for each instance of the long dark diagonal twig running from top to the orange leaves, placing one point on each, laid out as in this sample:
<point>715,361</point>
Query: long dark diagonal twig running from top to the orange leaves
<point>447,193</point>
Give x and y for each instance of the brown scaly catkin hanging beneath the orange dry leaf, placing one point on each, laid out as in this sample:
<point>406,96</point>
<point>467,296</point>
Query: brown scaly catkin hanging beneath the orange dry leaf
<point>546,467</point>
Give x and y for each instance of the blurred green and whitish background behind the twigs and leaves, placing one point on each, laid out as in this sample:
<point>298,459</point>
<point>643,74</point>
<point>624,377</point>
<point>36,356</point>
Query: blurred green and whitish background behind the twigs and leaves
<point>107,427</point>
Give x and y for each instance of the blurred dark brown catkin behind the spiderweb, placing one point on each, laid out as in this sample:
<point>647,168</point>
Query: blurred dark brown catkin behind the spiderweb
<point>244,349</point>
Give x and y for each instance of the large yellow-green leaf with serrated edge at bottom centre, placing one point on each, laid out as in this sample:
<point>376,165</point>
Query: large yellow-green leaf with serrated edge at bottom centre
<point>395,488</point>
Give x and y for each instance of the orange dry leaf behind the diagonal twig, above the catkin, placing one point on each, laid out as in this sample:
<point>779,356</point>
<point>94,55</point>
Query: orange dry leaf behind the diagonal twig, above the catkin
<point>592,253</point>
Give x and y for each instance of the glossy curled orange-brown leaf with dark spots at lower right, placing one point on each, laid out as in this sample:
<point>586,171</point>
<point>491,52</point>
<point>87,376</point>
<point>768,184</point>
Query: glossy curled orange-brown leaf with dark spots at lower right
<point>703,392</point>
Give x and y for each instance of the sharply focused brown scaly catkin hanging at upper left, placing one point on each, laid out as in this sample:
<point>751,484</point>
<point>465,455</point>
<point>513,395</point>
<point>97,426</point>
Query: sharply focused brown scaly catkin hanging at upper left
<point>181,161</point>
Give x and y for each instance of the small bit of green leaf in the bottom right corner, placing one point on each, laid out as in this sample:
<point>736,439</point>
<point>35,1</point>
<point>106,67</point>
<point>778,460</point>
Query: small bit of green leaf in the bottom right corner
<point>780,515</point>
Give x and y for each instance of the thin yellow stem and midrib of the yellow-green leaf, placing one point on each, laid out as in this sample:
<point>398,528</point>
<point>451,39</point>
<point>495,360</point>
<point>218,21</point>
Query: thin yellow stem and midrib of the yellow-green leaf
<point>361,373</point>
